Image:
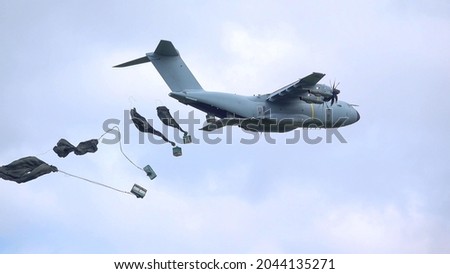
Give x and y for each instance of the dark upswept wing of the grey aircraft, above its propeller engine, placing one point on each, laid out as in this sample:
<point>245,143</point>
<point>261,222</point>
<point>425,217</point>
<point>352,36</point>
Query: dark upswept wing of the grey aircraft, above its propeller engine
<point>297,88</point>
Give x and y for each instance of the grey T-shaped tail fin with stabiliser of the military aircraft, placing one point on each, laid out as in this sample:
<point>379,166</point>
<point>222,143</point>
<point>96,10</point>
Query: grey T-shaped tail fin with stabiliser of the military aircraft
<point>169,64</point>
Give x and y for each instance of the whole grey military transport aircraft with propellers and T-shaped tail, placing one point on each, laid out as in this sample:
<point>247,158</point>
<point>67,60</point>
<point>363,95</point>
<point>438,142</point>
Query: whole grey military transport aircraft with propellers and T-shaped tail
<point>304,103</point>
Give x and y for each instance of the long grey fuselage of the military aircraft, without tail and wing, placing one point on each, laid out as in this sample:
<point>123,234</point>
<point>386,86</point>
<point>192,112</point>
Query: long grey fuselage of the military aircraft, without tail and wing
<point>282,116</point>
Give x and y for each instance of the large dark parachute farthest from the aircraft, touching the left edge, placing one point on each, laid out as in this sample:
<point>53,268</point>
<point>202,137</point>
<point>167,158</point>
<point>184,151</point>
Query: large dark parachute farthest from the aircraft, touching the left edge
<point>25,169</point>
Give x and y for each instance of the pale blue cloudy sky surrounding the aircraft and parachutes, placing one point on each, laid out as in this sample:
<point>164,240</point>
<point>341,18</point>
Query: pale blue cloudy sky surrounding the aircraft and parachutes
<point>384,191</point>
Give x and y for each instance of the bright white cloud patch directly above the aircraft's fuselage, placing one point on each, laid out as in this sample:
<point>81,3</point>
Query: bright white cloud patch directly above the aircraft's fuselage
<point>254,55</point>
